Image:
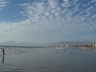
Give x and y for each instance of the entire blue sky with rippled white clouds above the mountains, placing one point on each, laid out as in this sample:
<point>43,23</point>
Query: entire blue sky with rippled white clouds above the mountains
<point>45,21</point>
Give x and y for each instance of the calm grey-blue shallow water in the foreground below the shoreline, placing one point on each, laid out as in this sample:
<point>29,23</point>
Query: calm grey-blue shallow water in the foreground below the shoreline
<point>48,60</point>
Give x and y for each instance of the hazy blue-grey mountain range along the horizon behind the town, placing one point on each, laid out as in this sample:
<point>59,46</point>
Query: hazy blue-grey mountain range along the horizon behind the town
<point>13,43</point>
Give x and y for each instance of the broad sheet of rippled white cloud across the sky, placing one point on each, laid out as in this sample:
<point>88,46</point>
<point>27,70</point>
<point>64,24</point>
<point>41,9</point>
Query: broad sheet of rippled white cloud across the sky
<point>52,17</point>
